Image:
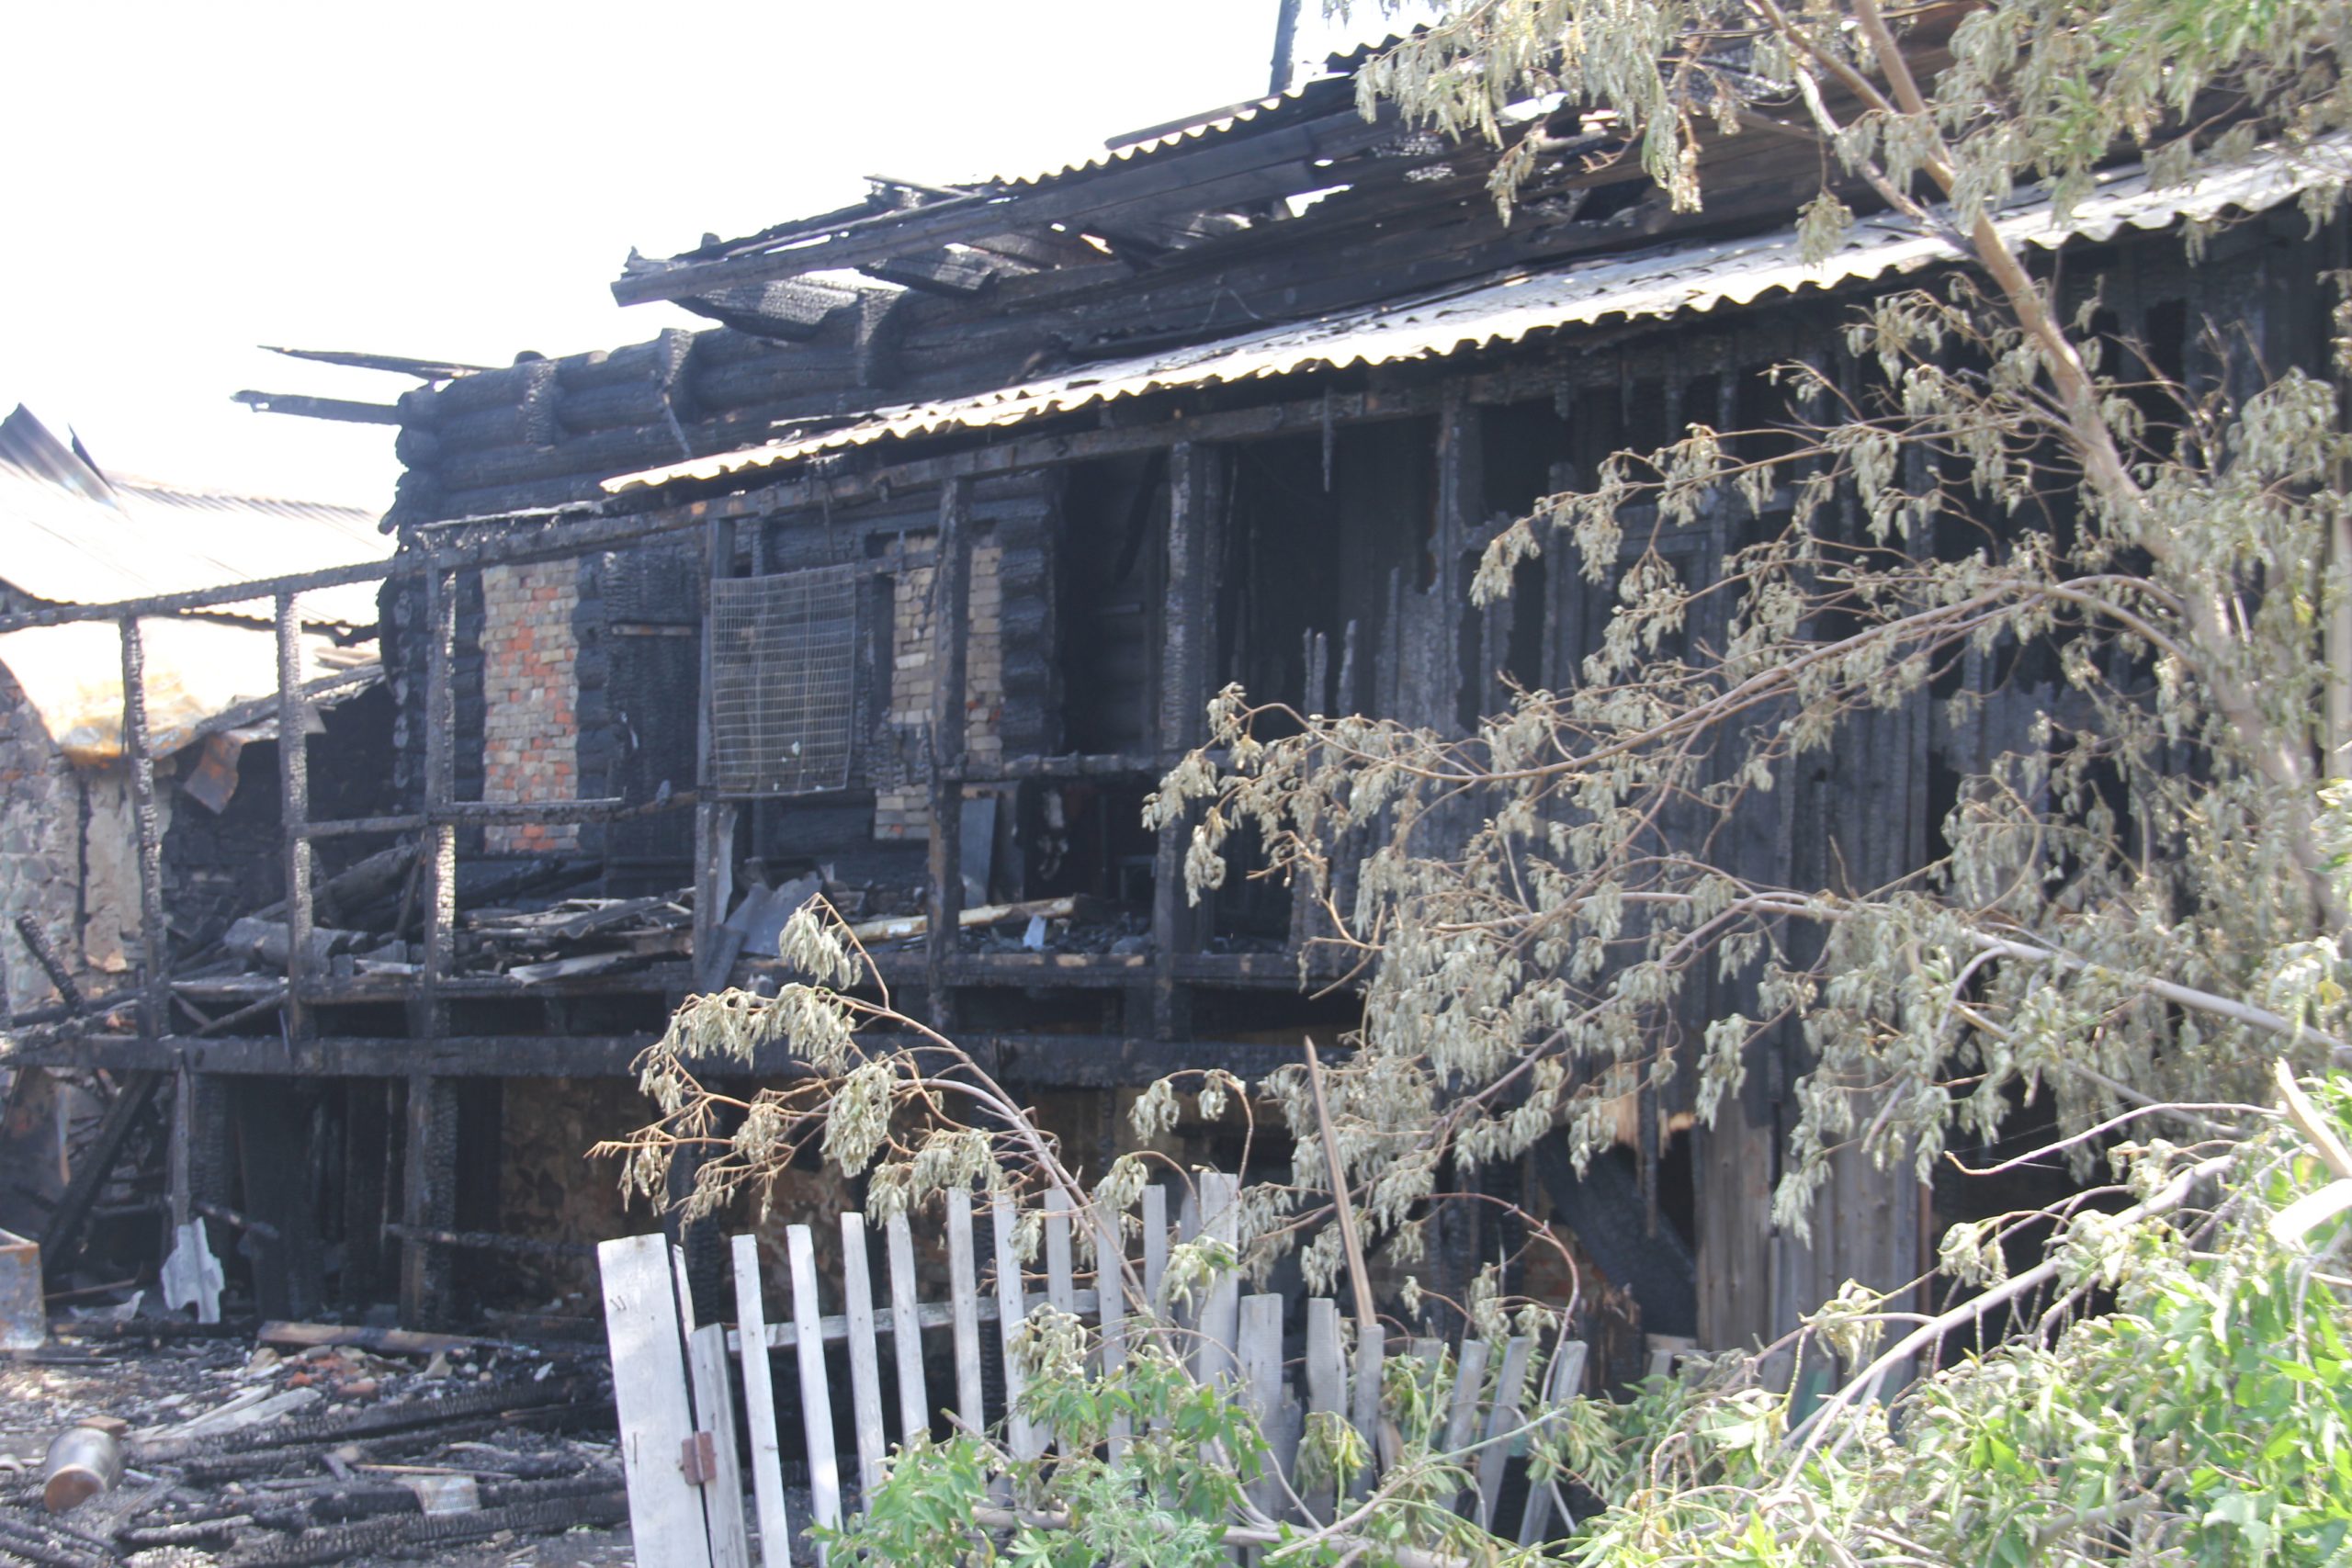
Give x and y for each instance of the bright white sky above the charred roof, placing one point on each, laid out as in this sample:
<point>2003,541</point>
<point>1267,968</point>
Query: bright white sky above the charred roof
<point>465,180</point>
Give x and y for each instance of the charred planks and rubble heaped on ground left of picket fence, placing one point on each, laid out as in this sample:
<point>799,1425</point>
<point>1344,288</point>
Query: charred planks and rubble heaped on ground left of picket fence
<point>319,1447</point>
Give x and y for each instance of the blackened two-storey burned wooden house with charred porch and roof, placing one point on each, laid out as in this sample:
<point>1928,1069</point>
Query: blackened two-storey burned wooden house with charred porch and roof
<point>914,572</point>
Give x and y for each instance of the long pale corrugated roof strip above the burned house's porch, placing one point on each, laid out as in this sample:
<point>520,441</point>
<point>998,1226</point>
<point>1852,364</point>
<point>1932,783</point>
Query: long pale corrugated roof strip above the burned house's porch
<point>1645,286</point>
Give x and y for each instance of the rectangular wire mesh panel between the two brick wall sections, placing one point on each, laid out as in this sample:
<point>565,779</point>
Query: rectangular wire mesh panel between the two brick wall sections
<point>784,681</point>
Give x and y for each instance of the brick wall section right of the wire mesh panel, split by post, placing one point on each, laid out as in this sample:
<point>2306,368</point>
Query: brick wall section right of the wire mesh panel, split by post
<point>904,810</point>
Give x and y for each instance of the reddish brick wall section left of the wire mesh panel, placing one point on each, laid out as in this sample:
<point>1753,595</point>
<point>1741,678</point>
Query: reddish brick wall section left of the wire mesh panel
<point>530,697</point>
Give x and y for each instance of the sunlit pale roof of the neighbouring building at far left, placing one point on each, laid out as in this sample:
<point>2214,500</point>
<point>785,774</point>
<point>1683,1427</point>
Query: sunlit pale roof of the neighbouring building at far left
<point>79,537</point>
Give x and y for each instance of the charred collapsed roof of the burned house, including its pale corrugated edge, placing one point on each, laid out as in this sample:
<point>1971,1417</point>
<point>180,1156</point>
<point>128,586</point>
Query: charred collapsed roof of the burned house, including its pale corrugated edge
<point>1290,236</point>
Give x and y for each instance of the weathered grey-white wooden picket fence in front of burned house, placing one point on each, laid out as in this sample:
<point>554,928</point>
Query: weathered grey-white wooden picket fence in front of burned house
<point>679,1407</point>
